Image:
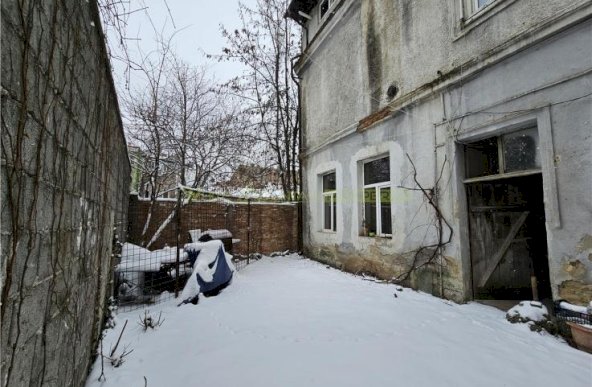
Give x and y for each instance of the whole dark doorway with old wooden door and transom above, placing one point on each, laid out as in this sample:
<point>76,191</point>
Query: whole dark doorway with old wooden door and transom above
<point>508,240</point>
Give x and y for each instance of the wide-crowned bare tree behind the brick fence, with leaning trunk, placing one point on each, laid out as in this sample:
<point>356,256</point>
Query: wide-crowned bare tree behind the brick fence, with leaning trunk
<point>186,131</point>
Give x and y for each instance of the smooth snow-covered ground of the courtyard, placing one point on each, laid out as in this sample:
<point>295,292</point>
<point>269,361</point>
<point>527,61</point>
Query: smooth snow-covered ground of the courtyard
<point>288,321</point>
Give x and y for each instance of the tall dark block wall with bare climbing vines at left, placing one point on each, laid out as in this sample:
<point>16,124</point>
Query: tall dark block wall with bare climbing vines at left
<point>65,178</point>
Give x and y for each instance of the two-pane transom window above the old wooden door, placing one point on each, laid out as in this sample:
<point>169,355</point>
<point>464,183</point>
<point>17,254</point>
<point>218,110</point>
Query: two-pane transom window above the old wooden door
<point>513,152</point>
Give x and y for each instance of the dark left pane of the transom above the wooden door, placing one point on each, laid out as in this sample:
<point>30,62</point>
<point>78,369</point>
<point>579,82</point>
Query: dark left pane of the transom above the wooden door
<point>481,158</point>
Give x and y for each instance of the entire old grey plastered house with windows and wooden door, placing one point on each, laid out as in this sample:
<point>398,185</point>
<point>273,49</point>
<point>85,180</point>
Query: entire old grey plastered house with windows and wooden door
<point>489,103</point>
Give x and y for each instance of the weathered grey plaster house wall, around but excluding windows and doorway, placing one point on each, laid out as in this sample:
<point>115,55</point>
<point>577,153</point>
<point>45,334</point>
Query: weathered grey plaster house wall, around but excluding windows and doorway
<point>521,63</point>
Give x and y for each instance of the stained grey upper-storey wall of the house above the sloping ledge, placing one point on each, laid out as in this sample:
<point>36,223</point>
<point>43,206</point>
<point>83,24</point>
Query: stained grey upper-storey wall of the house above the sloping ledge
<point>413,44</point>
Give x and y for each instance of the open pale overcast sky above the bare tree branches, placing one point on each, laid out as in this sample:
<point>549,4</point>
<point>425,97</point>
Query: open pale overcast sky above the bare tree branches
<point>197,26</point>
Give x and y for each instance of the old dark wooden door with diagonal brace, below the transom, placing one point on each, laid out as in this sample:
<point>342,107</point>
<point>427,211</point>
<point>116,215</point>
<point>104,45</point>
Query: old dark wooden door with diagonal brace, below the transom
<point>507,237</point>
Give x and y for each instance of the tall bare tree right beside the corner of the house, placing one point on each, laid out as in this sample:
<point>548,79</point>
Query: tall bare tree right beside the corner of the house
<point>266,44</point>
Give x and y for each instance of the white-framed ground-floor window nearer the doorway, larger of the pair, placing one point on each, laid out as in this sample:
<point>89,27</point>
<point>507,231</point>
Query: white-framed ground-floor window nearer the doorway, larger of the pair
<point>377,198</point>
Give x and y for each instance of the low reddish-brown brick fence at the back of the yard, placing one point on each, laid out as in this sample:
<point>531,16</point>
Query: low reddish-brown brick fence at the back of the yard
<point>274,226</point>
